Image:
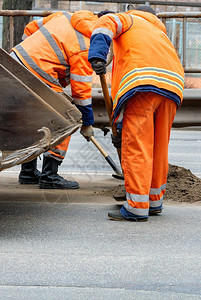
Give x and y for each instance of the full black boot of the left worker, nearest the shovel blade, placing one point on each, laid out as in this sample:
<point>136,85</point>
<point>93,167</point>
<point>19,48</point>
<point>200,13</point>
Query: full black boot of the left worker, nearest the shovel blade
<point>50,179</point>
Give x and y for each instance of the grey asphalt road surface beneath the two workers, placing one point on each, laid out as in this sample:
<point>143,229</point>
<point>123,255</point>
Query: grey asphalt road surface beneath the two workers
<point>70,250</point>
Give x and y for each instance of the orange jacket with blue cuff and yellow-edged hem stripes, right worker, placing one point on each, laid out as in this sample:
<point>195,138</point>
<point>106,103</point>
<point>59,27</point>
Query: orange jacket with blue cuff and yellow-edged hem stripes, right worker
<point>143,54</point>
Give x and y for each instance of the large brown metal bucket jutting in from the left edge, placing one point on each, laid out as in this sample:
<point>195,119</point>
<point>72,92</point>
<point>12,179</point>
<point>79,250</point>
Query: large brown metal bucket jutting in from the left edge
<point>33,118</point>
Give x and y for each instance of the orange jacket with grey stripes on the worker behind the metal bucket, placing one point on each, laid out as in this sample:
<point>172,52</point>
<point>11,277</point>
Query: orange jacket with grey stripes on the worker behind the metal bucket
<point>57,53</point>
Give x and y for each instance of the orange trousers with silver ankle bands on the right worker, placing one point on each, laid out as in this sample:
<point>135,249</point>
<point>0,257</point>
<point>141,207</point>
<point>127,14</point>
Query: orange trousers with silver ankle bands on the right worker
<point>147,122</point>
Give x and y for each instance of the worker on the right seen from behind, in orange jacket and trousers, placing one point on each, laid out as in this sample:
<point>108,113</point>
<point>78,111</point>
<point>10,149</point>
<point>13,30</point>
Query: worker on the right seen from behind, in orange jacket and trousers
<point>147,84</point>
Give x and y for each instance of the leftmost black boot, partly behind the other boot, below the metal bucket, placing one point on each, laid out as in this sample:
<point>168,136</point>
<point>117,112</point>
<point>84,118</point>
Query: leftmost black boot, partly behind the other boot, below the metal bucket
<point>29,173</point>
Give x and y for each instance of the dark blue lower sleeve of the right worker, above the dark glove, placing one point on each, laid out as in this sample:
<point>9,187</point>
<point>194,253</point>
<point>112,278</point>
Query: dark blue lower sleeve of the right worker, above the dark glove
<point>99,46</point>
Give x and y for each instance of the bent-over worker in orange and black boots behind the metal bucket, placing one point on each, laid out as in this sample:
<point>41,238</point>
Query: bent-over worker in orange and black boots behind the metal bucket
<point>55,49</point>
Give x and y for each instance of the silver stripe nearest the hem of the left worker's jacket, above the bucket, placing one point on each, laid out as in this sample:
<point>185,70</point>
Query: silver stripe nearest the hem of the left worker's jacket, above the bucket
<point>35,67</point>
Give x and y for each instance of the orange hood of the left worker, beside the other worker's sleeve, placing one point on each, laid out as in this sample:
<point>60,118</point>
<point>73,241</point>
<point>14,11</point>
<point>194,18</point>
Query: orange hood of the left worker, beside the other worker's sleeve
<point>84,22</point>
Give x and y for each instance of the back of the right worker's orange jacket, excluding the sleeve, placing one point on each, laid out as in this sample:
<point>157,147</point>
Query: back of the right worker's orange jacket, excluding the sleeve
<point>143,55</point>
